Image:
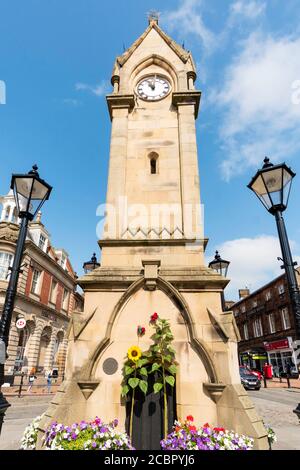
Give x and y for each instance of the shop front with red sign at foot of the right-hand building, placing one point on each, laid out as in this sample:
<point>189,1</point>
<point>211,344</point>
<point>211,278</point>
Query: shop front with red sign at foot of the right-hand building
<point>280,354</point>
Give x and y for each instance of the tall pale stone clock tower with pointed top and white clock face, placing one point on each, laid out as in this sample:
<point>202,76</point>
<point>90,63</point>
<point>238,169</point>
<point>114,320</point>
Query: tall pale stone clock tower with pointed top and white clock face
<point>153,256</point>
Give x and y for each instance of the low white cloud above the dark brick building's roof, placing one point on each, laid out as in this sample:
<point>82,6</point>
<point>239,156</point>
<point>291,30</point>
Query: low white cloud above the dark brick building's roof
<point>253,262</point>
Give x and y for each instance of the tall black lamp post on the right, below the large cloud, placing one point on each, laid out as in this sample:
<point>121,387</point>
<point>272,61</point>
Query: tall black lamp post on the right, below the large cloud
<point>272,185</point>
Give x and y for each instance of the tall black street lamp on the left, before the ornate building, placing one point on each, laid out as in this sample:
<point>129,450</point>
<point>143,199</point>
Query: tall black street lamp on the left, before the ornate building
<point>30,193</point>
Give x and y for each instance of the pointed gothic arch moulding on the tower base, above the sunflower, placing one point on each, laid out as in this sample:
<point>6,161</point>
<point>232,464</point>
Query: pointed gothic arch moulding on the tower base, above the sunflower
<point>182,306</point>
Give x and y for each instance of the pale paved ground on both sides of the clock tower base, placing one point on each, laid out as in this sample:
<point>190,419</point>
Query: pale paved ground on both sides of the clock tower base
<point>275,406</point>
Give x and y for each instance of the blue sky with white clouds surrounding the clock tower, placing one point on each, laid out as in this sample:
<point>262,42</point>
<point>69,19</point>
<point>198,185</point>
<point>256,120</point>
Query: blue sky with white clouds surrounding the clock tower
<point>56,60</point>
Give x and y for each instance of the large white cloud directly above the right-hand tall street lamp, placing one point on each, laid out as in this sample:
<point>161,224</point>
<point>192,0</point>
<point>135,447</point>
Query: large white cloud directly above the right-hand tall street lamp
<point>259,116</point>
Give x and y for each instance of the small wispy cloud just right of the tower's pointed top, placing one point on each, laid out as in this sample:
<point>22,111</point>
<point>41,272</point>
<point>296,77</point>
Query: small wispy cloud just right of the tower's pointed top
<point>188,20</point>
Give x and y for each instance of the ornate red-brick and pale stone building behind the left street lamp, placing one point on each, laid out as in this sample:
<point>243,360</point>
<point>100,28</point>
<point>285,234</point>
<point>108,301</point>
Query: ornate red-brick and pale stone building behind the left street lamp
<point>46,295</point>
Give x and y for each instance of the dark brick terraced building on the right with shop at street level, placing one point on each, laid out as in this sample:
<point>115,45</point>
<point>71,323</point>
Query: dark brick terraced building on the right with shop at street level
<point>266,325</point>
